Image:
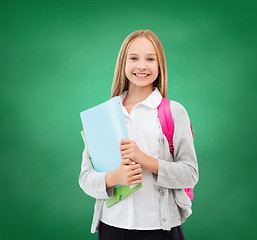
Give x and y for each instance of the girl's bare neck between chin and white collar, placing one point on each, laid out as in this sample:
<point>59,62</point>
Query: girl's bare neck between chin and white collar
<point>138,94</point>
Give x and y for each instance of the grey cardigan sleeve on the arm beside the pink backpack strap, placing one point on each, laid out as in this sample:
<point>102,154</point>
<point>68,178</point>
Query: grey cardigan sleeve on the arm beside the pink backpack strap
<point>182,172</point>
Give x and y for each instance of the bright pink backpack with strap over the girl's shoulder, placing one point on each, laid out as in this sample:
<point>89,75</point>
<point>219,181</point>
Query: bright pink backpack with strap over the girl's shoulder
<point>167,124</point>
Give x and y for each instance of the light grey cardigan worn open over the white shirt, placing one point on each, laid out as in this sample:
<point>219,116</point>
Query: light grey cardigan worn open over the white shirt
<point>173,174</point>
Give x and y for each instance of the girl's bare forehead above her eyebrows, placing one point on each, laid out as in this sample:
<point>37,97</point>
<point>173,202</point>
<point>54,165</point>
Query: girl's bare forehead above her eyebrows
<point>141,45</point>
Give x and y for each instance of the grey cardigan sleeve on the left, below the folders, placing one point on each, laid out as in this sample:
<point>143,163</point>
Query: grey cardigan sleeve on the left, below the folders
<point>93,182</point>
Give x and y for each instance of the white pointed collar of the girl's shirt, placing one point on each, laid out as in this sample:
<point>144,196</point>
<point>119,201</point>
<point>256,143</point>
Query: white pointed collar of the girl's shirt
<point>152,101</point>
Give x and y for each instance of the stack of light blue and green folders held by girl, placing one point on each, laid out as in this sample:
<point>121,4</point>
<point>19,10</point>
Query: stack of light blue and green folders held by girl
<point>103,128</point>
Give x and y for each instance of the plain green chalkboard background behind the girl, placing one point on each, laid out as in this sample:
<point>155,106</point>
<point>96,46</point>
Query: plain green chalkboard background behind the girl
<point>57,58</point>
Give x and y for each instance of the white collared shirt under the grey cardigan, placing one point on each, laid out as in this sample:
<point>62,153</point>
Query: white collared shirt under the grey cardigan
<point>140,210</point>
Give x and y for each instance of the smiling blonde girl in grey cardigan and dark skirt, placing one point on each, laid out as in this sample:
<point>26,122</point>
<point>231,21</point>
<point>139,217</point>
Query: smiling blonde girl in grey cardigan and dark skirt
<point>157,210</point>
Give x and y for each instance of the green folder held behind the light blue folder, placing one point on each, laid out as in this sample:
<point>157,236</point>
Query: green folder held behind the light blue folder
<point>121,191</point>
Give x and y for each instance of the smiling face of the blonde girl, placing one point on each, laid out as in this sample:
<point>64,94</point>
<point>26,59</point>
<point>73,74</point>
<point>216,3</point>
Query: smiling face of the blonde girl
<point>141,63</point>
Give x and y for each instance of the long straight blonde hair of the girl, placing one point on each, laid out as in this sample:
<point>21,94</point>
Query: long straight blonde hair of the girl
<point>120,81</point>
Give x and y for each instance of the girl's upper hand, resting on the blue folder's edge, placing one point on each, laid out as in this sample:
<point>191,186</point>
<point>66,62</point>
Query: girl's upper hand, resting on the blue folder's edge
<point>130,150</point>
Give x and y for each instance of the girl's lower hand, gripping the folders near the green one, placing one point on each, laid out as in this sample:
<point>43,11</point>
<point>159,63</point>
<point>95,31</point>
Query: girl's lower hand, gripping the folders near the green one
<point>129,173</point>
